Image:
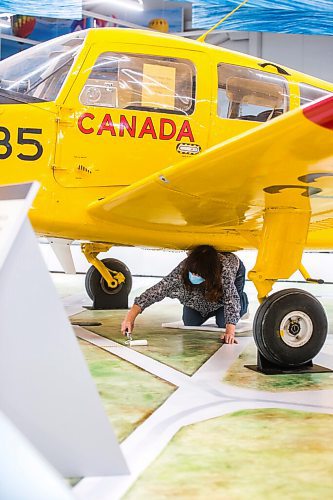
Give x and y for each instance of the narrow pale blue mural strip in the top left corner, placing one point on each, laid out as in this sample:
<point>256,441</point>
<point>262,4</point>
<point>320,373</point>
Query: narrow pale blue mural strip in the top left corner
<point>64,9</point>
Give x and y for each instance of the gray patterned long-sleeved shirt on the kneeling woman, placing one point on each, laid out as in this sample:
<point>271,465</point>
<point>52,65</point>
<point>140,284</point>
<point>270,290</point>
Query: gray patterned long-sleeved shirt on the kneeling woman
<point>173,286</point>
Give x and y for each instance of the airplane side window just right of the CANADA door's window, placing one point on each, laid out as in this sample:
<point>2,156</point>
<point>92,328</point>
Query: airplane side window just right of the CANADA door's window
<point>248,94</point>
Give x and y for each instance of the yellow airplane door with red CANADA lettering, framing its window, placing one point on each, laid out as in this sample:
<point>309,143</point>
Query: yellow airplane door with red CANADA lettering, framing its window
<point>107,146</point>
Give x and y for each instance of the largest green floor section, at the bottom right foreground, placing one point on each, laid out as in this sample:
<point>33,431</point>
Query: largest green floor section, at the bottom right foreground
<point>266,454</point>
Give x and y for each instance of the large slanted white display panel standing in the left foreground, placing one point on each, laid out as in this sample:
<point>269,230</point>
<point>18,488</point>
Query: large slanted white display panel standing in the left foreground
<point>45,386</point>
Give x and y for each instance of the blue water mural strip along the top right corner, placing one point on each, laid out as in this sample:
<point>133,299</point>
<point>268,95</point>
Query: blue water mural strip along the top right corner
<point>310,17</point>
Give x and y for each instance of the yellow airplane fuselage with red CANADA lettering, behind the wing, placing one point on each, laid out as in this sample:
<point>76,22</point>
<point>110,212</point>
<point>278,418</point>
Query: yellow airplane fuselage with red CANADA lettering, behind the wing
<point>96,136</point>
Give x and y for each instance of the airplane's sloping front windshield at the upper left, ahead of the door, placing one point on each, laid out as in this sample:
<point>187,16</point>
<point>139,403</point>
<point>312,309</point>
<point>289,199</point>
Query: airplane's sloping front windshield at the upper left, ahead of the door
<point>40,71</point>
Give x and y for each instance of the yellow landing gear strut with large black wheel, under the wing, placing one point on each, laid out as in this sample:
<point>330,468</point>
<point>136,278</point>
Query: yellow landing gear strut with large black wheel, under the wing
<point>290,326</point>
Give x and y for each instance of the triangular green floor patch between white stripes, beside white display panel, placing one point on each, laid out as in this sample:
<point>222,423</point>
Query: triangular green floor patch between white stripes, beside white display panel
<point>129,394</point>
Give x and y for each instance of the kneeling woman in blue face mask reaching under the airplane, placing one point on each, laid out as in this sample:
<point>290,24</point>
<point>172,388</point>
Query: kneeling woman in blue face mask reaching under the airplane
<point>208,283</point>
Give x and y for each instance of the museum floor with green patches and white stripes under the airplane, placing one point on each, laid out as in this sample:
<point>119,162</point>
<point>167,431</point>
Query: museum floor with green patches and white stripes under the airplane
<point>192,420</point>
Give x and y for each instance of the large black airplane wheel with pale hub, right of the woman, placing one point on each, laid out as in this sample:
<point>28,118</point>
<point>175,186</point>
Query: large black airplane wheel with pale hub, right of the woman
<point>290,328</point>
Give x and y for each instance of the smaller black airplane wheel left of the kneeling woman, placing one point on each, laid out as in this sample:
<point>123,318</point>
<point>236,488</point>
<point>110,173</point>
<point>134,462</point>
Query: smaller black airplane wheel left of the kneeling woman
<point>96,284</point>
